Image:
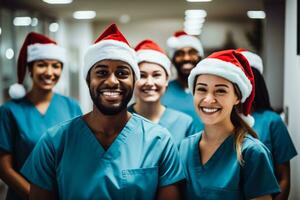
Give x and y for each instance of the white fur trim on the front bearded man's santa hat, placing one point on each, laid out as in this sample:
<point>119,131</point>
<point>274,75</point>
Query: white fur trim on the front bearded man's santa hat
<point>113,50</point>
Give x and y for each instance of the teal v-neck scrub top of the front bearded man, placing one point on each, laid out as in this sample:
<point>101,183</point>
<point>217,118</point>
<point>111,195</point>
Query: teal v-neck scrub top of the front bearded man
<point>69,157</point>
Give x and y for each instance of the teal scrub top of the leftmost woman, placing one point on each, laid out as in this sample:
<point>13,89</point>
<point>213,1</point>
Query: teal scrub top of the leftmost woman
<point>22,125</point>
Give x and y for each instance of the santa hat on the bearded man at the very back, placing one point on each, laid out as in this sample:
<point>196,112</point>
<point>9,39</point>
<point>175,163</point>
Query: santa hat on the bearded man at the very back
<point>181,39</point>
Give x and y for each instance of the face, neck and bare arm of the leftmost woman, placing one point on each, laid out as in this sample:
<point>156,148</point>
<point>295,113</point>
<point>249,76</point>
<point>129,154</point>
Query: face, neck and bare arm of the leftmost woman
<point>44,74</point>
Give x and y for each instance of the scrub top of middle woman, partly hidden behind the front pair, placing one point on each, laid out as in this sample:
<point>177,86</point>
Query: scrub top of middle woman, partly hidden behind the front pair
<point>178,124</point>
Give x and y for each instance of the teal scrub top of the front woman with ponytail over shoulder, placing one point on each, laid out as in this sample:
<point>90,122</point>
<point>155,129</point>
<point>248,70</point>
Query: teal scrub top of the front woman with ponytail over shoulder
<point>222,176</point>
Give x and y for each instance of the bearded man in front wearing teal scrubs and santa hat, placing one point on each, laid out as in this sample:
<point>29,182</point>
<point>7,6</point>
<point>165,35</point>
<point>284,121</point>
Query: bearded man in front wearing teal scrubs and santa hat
<point>107,153</point>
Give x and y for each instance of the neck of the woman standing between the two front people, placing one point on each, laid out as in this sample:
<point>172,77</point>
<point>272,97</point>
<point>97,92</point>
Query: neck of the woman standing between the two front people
<point>152,111</point>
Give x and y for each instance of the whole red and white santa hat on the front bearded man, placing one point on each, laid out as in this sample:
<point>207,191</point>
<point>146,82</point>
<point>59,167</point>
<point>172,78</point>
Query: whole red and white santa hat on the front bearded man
<point>111,44</point>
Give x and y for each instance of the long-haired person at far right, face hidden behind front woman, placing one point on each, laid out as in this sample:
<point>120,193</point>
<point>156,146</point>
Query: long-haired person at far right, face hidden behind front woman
<point>270,128</point>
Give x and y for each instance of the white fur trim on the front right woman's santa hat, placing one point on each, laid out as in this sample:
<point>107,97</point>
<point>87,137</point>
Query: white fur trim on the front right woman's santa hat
<point>223,69</point>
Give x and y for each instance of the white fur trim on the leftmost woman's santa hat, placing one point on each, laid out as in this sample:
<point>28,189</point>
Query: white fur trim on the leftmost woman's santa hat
<point>45,51</point>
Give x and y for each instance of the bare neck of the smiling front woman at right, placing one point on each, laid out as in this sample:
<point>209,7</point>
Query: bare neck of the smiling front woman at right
<point>217,133</point>
